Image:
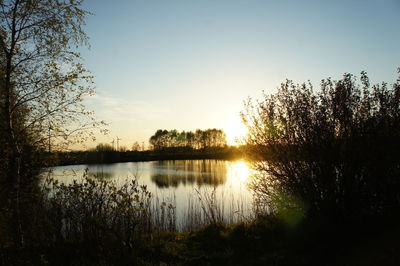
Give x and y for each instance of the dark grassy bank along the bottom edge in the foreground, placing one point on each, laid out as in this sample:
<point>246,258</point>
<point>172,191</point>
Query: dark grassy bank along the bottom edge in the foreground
<point>266,241</point>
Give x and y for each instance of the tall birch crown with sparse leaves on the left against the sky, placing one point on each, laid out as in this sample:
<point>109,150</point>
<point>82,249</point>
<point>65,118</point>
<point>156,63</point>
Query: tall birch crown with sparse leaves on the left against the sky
<point>43,81</point>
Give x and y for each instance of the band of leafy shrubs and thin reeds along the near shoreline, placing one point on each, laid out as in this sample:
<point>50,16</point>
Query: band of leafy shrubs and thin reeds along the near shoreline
<point>128,209</point>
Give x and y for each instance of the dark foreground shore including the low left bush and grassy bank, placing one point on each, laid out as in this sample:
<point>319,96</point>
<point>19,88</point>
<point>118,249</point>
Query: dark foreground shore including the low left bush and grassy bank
<point>96,223</point>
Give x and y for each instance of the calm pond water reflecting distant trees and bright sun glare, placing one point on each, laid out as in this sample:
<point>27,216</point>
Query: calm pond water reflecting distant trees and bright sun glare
<point>180,182</point>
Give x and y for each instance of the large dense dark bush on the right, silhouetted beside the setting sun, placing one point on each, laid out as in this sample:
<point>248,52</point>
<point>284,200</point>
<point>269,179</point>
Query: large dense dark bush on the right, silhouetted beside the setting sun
<point>334,151</point>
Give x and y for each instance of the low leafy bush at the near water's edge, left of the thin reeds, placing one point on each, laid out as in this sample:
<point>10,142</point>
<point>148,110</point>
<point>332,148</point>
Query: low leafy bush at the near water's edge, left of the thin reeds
<point>96,211</point>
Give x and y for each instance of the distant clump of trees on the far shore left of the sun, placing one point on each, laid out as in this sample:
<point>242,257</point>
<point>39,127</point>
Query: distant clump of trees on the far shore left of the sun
<point>200,139</point>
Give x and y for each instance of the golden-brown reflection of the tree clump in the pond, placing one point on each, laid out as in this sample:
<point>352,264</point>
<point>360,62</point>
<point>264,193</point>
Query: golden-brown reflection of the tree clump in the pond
<point>188,172</point>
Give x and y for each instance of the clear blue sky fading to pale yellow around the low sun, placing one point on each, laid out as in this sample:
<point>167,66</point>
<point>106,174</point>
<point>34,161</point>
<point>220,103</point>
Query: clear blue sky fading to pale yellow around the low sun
<point>188,64</point>
